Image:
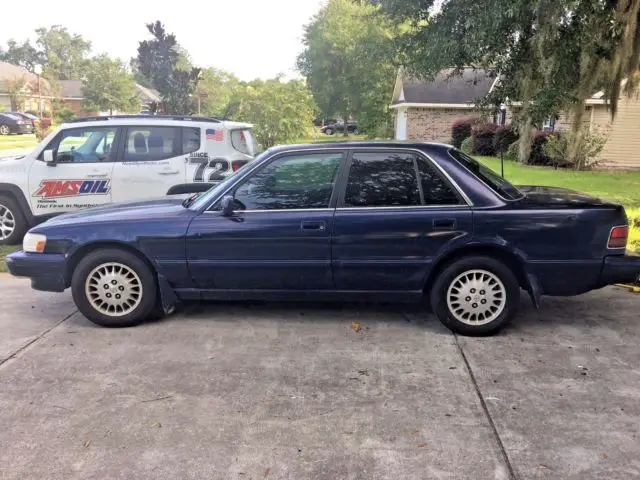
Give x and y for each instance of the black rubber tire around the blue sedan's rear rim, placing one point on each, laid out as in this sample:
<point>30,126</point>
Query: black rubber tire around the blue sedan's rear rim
<point>451,272</point>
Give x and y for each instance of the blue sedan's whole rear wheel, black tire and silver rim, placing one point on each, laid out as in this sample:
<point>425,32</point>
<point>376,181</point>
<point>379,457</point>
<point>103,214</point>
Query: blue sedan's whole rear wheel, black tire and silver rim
<point>476,295</point>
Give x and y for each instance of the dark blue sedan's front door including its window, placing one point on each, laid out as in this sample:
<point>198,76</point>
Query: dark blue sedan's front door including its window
<point>279,237</point>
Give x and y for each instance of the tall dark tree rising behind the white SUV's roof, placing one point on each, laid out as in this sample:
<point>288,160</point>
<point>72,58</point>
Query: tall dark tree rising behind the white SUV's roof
<point>167,67</point>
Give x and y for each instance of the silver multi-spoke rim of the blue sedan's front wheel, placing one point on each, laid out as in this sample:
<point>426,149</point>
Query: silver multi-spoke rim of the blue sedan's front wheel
<point>113,289</point>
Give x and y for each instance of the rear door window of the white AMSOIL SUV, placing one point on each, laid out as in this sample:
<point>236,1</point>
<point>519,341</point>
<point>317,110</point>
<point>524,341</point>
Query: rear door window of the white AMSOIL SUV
<point>151,143</point>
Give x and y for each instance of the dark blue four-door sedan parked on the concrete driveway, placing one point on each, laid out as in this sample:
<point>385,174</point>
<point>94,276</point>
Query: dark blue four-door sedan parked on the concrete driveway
<point>351,221</point>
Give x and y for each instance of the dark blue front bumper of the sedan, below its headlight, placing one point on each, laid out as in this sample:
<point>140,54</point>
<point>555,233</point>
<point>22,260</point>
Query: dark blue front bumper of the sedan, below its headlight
<point>46,271</point>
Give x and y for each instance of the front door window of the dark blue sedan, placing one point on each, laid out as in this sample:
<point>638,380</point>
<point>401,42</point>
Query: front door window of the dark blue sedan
<point>297,181</point>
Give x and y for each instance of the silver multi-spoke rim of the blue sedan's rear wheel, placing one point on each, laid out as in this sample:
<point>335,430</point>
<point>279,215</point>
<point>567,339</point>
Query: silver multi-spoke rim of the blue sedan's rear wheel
<point>476,297</point>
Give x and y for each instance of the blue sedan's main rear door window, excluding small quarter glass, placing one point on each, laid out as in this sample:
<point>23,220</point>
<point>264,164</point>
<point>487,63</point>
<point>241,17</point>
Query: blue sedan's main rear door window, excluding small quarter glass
<point>382,180</point>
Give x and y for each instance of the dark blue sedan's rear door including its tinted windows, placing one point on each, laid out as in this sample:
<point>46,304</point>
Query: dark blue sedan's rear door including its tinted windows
<point>397,212</point>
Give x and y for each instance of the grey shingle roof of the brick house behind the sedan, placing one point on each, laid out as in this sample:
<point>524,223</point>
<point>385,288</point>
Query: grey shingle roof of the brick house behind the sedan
<point>445,89</point>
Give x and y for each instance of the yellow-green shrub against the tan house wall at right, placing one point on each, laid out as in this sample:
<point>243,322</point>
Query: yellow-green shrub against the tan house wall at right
<point>557,148</point>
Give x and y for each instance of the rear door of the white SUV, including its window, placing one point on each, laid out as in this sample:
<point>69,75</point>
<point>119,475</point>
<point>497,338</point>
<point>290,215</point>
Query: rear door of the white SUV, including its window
<point>153,161</point>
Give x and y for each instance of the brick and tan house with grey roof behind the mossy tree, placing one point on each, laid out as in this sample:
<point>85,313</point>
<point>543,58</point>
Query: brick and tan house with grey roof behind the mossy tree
<point>426,110</point>
